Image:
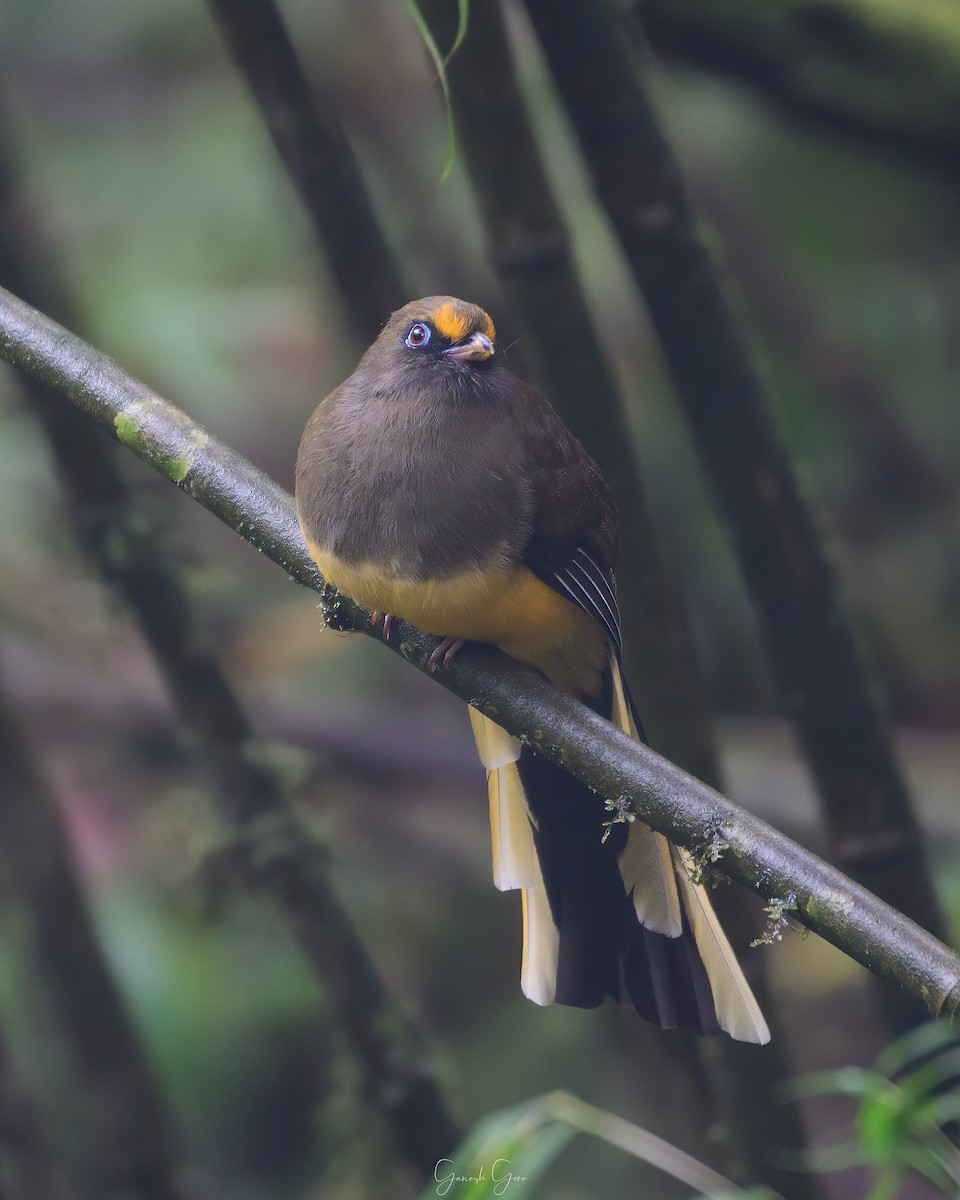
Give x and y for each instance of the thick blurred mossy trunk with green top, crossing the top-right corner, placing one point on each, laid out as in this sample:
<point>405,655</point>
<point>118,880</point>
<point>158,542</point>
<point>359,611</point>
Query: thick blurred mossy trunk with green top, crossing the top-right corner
<point>835,65</point>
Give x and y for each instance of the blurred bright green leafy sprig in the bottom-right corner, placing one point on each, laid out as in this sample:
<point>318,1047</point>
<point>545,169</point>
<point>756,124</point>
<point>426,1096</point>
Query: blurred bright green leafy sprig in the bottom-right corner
<point>908,1108</point>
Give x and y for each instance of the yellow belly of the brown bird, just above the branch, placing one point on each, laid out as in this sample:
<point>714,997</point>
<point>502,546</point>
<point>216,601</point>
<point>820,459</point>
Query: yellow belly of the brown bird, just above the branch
<point>507,607</point>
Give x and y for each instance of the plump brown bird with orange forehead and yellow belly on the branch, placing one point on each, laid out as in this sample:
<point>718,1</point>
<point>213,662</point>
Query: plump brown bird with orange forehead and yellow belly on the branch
<point>436,487</point>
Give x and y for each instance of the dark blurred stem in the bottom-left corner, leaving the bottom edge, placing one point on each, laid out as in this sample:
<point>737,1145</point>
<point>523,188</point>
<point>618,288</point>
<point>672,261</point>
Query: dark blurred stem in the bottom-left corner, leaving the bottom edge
<point>130,1131</point>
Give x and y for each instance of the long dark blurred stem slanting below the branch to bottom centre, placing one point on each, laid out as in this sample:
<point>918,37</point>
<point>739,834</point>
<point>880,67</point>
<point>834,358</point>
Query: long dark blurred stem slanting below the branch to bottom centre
<point>271,850</point>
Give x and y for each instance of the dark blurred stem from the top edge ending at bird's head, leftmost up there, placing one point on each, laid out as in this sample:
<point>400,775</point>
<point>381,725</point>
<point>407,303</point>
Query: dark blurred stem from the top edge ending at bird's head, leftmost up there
<point>319,159</point>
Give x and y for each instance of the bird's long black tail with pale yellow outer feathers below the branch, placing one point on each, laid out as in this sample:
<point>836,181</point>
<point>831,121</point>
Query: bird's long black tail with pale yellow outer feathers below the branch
<point>609,910</point>
